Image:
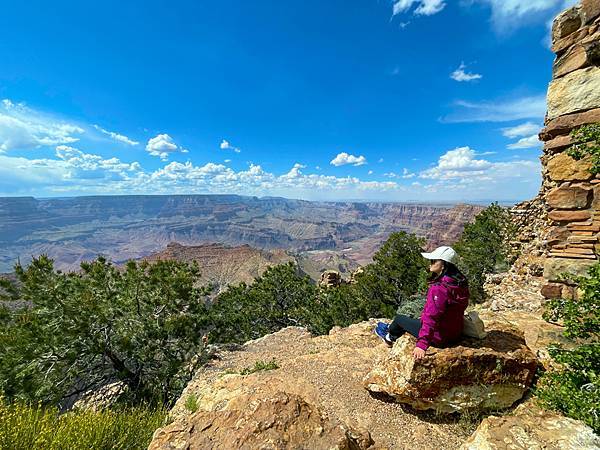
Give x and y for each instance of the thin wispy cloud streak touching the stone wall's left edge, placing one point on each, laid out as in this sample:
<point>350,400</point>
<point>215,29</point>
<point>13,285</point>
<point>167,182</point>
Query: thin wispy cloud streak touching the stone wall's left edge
<point>498,111</point>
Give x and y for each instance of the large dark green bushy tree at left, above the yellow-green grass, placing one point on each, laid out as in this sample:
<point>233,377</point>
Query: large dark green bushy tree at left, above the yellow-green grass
<point>142,325</point>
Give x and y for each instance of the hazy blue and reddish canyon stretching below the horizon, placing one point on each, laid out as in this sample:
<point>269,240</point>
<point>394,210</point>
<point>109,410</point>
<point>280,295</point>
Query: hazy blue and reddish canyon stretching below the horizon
<point>345,234</point>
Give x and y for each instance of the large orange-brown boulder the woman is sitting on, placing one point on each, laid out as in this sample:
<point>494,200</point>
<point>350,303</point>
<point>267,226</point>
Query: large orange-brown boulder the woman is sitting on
<point>491,373</point>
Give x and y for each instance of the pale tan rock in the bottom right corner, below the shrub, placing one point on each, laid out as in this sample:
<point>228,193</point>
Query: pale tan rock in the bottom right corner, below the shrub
<point>530,427</point>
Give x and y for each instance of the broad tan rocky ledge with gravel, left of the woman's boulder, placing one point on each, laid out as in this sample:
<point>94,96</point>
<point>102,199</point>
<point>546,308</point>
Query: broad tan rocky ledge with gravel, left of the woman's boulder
<point>321,377</point>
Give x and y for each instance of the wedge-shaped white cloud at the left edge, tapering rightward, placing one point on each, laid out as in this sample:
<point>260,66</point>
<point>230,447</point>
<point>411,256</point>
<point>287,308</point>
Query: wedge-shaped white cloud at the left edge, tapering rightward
<point>22,128</point>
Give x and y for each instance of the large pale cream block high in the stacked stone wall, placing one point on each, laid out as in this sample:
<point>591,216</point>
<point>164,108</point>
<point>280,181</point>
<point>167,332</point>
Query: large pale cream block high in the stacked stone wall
<point>577,91</point>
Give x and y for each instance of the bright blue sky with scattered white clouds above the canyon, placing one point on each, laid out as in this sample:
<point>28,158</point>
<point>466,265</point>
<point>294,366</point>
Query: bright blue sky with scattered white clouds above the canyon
<point>427,100</point>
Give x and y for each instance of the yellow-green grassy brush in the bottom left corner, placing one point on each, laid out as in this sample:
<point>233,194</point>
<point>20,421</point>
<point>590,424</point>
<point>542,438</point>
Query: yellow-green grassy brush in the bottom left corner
<point>26,427</point>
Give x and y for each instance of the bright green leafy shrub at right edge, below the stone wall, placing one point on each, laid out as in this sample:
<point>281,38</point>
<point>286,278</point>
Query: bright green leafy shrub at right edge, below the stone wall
<point>575,388</point>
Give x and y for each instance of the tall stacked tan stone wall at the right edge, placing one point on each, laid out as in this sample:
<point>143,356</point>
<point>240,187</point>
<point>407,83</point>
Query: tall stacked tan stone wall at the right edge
<point>570,191</point>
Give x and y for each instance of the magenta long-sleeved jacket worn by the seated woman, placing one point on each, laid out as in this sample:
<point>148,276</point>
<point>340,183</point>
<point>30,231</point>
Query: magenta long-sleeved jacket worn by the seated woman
<point>442,318</point>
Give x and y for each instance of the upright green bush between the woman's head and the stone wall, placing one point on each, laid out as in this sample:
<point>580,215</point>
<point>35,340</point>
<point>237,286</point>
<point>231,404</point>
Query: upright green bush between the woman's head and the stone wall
<point>483,247</point>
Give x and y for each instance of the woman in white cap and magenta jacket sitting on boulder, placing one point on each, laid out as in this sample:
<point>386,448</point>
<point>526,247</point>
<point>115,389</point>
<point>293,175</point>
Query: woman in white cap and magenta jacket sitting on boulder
<point>442,317</point>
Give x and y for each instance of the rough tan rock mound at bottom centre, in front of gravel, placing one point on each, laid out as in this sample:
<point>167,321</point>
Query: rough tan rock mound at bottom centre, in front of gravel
<point>279,421</point>
